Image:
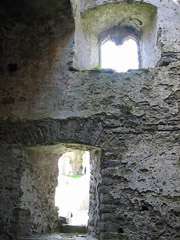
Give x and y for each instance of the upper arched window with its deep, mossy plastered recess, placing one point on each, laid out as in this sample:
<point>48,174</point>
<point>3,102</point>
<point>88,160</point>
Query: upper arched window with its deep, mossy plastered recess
<point>135,23</point>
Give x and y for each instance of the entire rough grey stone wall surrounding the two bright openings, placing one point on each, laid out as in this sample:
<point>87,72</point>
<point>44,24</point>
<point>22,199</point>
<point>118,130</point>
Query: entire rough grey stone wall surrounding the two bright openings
<point>130,122</point>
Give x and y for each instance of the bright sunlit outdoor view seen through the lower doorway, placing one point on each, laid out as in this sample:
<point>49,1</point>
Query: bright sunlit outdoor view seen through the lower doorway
<point>72,192</point>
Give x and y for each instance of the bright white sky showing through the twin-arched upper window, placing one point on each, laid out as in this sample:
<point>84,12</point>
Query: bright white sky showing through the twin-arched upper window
<point>121,57</point>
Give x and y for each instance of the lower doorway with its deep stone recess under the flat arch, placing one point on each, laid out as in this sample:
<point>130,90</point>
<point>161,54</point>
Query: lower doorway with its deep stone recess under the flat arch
<point>38,213</point>
